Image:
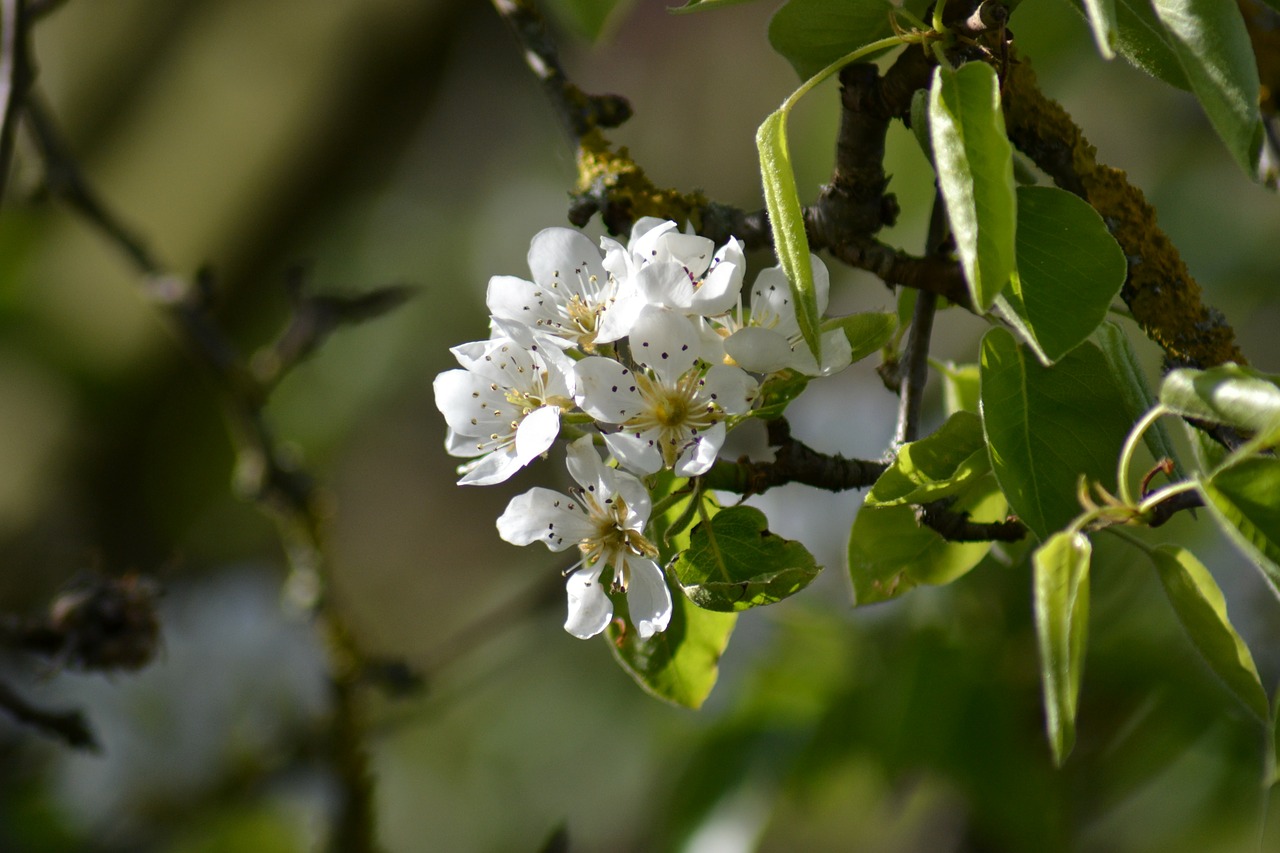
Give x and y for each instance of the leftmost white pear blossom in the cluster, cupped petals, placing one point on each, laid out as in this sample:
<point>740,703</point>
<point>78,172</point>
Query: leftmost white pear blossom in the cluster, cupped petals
<point>505,405</point>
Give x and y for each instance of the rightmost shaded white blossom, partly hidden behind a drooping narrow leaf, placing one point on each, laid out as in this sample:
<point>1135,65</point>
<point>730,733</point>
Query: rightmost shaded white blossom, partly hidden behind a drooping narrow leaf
<point>769,339</point>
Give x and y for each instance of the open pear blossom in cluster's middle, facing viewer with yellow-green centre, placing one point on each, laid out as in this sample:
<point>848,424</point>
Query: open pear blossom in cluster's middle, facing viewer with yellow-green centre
<point>670,412</point>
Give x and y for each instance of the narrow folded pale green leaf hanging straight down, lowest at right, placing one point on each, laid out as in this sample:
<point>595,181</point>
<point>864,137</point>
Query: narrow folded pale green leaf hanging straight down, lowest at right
<point>1062,594</point>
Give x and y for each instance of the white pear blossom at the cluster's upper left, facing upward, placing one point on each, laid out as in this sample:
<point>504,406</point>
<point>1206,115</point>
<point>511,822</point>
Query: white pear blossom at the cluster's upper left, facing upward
<point>573,298</point>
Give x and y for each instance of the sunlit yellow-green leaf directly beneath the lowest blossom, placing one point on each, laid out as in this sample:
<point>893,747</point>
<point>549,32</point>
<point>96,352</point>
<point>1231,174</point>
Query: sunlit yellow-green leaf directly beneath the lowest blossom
<point>682,664</point>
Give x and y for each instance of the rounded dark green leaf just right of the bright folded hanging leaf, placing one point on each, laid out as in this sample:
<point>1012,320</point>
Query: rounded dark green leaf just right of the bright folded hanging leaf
<point>1069,270</point>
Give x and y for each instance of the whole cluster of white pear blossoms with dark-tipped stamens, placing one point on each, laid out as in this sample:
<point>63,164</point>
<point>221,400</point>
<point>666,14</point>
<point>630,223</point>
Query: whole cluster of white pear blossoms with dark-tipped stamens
<point>646,348</point>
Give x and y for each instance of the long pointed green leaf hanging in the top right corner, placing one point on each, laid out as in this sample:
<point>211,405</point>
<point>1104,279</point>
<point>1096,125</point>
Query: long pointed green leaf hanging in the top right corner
<point>1213,47</point>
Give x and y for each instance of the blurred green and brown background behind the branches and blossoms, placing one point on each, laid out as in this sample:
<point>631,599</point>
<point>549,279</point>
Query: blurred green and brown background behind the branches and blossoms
<point>377,143</point>
